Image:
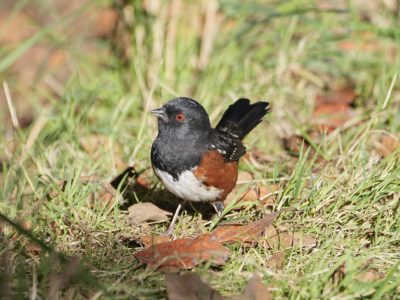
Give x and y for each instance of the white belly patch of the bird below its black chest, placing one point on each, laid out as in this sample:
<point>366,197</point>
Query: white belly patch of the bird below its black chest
<point>188,187</point>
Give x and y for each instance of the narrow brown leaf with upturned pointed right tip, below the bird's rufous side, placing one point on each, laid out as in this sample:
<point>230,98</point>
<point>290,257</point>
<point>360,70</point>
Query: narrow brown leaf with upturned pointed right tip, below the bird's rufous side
<point>242,233</point>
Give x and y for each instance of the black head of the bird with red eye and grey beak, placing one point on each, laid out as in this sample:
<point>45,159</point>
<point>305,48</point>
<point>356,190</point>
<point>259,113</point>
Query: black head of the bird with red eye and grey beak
<point>182,117</point>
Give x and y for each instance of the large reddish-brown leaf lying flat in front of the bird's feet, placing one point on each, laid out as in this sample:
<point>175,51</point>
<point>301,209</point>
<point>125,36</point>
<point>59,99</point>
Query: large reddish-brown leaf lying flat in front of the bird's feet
<point>184,253</point>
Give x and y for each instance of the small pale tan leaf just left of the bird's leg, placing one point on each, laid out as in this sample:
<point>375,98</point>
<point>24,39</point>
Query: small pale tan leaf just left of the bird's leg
<point>142,212</point>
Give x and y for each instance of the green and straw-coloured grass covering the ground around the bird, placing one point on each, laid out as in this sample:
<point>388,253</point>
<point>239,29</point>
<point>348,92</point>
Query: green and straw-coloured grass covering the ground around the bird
<point>283,52</point>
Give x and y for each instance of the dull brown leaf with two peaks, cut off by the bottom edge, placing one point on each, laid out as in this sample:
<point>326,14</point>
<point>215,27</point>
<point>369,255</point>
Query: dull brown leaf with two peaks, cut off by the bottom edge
<point>189,286</point>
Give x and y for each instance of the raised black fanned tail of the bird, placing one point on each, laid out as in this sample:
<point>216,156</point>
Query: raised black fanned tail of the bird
<point>241,117</point>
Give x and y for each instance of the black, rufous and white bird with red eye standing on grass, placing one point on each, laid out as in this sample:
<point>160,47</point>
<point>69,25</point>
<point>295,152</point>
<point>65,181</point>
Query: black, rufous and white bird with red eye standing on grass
<point>196,162</point>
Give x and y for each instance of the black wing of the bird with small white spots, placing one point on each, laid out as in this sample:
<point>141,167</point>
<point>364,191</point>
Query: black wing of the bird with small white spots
<point>230,147</point>
